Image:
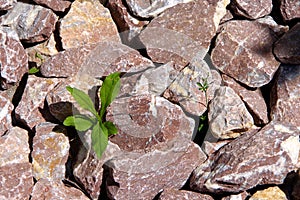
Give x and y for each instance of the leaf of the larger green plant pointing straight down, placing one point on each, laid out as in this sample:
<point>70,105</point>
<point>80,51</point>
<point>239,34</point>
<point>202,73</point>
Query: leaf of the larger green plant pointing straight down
<point>99,139</point>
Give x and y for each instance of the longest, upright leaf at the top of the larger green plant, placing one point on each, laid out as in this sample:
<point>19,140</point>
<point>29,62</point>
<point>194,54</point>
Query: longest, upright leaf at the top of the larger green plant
<point>109,91</point>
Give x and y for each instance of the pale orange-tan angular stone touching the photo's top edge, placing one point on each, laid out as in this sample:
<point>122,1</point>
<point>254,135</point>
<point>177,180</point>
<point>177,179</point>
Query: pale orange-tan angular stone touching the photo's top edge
<point>87,22</point>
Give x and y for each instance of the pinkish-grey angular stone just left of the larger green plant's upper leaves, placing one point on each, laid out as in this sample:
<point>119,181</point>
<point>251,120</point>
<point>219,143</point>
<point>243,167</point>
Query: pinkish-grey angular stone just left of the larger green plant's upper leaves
<point>31,110</point>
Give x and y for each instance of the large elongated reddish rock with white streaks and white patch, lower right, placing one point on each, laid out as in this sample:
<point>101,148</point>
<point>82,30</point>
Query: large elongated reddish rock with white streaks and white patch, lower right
<point>255,158</point>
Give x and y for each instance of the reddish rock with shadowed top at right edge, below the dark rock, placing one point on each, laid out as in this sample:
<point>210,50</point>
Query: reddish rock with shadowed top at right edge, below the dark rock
<point>285,95</point>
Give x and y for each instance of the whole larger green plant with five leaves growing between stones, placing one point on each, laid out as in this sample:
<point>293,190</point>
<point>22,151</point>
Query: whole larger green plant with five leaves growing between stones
<point>101,129</point>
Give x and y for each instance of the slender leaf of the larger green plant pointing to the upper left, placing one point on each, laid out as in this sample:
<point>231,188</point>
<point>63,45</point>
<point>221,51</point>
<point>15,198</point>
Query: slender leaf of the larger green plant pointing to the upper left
<point>82,99</point>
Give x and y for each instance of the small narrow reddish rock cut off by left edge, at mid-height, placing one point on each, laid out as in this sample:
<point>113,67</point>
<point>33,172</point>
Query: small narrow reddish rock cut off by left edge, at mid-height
<point>6,108</point>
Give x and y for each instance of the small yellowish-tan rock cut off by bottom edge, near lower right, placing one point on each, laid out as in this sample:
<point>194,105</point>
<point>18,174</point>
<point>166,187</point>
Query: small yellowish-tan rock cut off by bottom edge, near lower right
<point>269,194</point>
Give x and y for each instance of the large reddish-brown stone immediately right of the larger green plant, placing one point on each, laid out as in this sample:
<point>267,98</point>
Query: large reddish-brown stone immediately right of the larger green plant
<point>145,122</point>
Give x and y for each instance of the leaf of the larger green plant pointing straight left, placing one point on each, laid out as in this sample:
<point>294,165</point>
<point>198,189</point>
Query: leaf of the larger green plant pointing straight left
<point>80,122</point>
